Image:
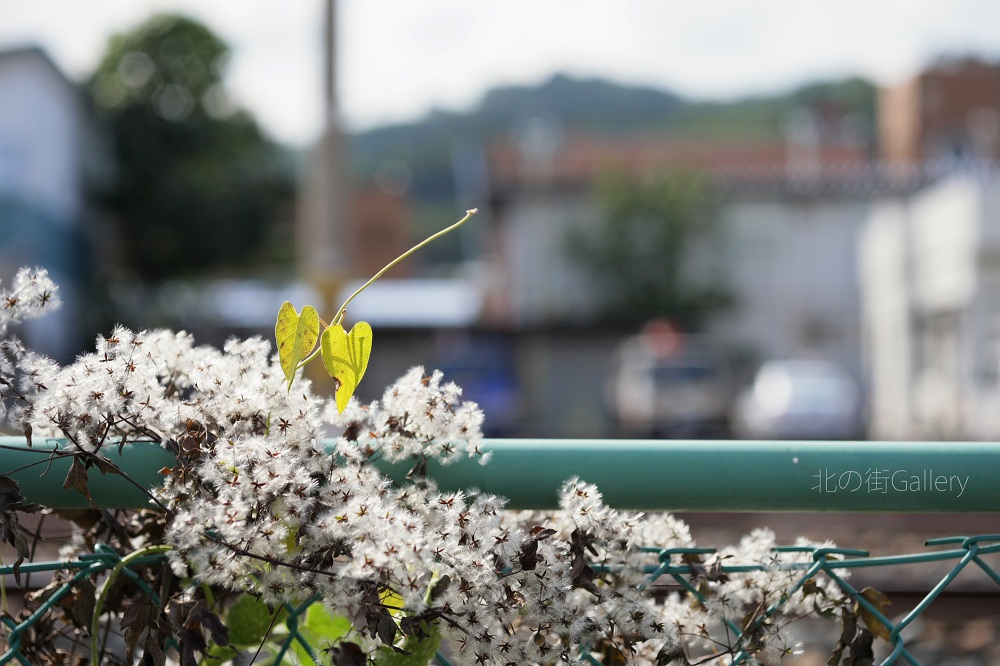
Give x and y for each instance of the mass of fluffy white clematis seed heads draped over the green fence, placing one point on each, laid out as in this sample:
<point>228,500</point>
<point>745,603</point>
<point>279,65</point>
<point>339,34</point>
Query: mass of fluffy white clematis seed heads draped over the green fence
<point>276,494</point>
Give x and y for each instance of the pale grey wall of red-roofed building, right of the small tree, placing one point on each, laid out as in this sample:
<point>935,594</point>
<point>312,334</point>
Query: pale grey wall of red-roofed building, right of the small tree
<point>793,268</point>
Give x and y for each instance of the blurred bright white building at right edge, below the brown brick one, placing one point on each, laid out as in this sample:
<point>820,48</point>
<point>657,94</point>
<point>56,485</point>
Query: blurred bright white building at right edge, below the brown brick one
<point>931,276</point>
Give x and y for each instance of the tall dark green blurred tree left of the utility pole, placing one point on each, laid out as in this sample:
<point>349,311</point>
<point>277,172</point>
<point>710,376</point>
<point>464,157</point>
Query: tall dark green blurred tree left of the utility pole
<point>197,186</point>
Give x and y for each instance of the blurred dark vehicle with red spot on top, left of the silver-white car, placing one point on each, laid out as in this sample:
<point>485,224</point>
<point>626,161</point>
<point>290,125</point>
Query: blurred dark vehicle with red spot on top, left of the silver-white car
<point>664,386</point>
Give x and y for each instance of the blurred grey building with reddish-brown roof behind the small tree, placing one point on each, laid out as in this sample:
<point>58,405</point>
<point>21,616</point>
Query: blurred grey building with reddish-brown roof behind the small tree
<point>791,214</point>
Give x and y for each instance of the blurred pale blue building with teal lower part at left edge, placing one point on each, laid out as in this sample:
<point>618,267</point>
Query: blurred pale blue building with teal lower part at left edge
<point>49,157</point>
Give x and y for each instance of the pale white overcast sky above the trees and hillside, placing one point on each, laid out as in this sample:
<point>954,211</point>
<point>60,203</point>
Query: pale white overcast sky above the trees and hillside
<point>400,58</point>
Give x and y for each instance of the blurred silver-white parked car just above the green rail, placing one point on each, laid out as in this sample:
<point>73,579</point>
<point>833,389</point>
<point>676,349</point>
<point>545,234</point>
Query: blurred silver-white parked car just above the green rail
<point>800,400</point>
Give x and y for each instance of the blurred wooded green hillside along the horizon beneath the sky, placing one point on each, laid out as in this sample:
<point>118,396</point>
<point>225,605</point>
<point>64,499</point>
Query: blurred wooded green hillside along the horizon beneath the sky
<point>432,146</point>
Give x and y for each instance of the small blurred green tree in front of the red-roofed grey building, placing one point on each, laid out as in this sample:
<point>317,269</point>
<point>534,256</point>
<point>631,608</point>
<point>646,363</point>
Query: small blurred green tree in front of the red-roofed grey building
<point>651,250</point>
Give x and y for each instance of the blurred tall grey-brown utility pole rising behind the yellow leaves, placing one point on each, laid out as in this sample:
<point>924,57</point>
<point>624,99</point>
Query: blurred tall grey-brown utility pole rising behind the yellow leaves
<point>322,242</point>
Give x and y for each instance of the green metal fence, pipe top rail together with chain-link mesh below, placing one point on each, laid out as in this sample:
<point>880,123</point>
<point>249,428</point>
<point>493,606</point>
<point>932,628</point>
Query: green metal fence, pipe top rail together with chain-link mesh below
<point>671,475</point>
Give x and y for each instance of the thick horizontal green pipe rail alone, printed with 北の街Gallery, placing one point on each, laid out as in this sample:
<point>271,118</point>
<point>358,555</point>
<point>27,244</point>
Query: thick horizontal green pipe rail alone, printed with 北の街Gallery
<point>674,475</point>
